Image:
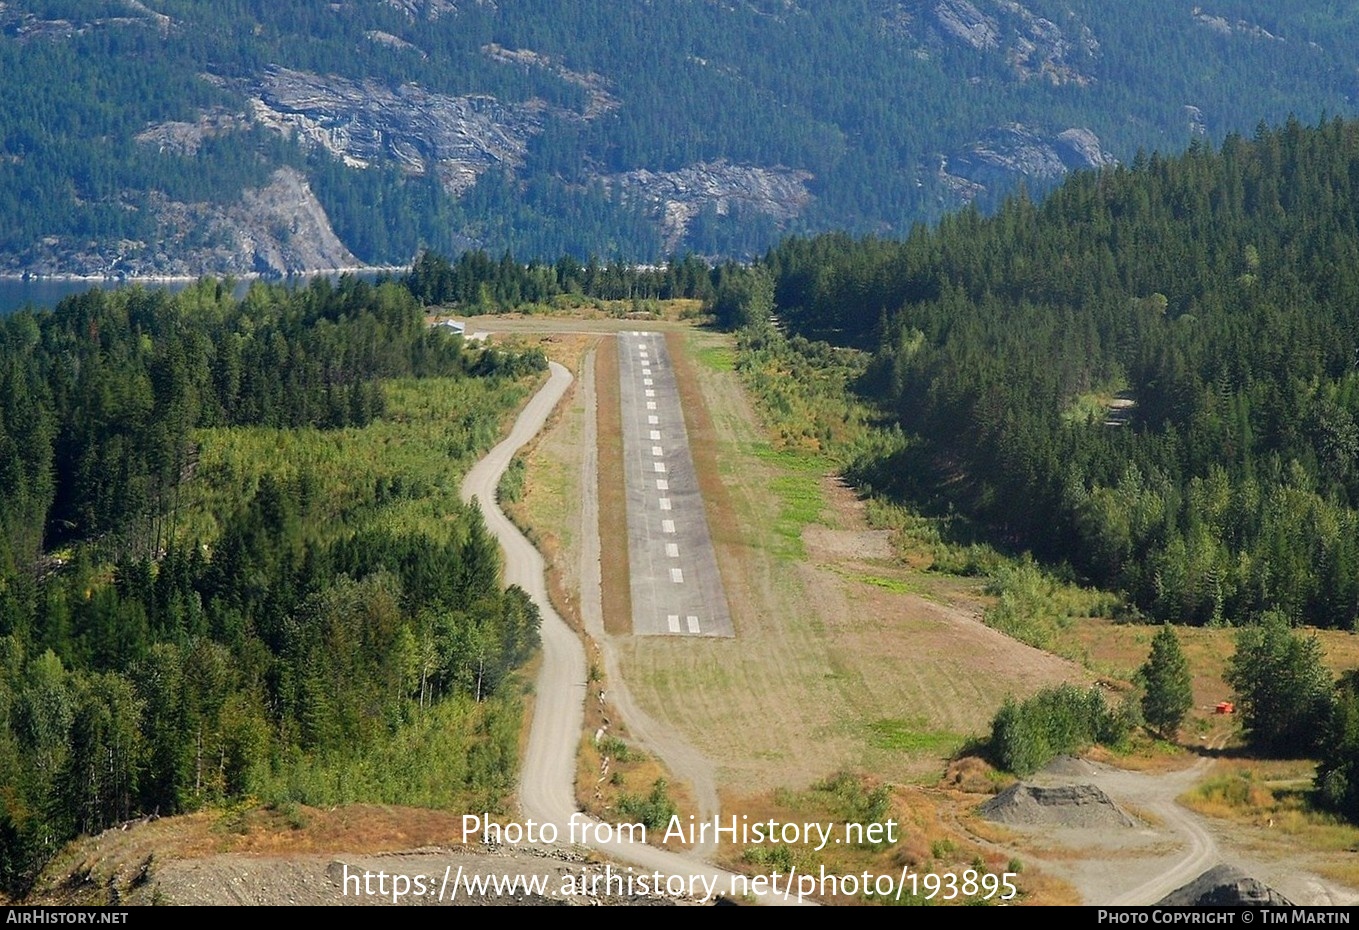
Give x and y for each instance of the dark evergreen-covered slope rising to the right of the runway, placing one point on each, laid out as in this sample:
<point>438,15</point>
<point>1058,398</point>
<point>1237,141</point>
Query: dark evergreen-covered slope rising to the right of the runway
<point>1153,376</point>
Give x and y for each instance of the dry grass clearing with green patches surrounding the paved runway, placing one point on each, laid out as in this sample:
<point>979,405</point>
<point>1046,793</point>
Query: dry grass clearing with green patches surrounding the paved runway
<point>842,657</point>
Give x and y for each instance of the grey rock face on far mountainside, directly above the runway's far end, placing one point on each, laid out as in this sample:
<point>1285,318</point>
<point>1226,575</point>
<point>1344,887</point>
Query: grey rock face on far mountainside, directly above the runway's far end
<point>676,198</point>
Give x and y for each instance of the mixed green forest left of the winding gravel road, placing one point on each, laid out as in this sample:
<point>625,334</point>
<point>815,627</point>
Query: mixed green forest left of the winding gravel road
<point>233,562</point>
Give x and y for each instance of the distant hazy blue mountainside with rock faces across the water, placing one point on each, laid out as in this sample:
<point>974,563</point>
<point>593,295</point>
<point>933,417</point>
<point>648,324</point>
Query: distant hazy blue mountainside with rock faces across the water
<point>177,137</point>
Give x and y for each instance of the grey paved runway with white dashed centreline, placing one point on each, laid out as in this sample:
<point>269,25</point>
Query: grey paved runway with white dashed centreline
<point>676,585</point>
